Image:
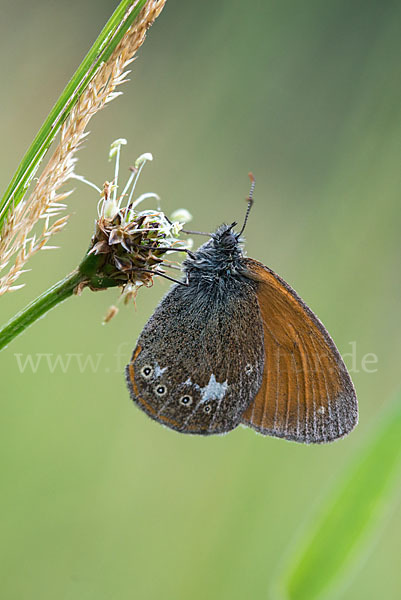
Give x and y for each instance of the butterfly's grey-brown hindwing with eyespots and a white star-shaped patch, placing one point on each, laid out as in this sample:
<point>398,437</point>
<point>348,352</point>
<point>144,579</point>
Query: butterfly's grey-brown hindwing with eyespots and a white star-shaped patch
<point>199,360</point>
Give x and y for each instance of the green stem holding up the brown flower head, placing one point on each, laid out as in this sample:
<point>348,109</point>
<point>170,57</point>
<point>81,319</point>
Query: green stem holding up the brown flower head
<point>36,309</point>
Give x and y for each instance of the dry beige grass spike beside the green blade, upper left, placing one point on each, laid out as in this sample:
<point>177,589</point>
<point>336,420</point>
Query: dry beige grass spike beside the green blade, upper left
<point>44,198</point>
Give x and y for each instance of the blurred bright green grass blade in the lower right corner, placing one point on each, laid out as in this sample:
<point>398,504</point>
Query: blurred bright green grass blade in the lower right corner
<point>348,516</point>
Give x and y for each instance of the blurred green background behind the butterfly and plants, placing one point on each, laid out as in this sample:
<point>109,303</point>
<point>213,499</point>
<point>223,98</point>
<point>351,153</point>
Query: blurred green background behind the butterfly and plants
<point>97,501</point>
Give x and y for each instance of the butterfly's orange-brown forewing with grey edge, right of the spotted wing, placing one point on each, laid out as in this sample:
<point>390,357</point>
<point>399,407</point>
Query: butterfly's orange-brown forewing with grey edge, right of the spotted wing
<point>306,393</point>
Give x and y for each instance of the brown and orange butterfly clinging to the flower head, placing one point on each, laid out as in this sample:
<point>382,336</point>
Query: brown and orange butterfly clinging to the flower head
<point>233,344</point>
